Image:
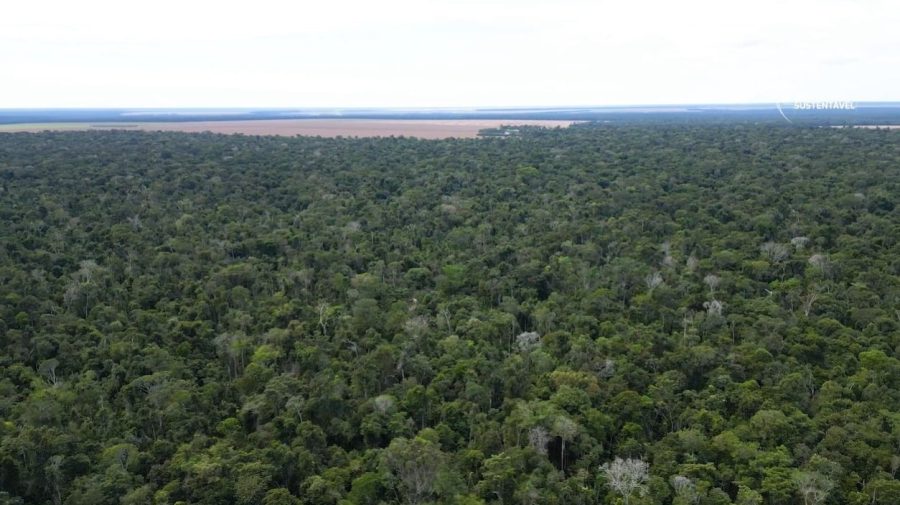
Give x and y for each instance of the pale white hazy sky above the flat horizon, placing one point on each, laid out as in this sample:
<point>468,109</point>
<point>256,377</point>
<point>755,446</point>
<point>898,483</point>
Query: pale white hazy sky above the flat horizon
<point>349,53</point>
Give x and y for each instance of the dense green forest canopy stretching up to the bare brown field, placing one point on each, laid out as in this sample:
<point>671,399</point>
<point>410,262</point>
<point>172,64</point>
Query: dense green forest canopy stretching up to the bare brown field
<point>597,315</point>
